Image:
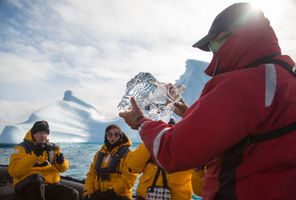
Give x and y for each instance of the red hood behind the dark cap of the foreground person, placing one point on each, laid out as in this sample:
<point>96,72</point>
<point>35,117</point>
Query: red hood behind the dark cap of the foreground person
<point>247,44</point>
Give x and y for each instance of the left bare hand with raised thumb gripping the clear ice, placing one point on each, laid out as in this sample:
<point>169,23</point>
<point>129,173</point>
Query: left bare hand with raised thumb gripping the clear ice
<point>131,116</point>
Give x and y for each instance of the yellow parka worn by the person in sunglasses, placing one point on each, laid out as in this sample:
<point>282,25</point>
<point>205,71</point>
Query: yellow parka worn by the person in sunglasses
<point>121,182</point>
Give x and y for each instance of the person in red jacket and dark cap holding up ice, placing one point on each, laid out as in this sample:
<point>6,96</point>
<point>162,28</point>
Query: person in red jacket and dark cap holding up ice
<point>242,128</point>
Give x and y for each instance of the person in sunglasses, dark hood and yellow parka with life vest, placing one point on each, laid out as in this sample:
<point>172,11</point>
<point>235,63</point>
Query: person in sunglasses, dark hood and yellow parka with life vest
<point>108,177</point>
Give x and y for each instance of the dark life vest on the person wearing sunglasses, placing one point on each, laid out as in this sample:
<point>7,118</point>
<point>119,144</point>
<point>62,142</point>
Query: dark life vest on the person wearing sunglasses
<point>113,166</point>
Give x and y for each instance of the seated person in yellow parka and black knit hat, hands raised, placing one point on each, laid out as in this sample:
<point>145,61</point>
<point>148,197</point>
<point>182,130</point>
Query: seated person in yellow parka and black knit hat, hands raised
<point>35,167</point>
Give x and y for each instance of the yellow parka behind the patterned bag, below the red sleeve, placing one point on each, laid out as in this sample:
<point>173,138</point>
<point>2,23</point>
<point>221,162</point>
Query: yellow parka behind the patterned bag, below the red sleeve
<point>178,182</point>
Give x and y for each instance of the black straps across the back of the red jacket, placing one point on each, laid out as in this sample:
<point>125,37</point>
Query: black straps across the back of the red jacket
<point>233,157</point>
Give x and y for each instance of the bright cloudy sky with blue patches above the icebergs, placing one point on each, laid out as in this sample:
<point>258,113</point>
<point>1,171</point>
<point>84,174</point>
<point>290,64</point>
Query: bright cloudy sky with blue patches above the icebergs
<point>94,47</point>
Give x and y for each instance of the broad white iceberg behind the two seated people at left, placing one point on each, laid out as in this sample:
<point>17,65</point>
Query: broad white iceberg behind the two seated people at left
<point>71,120</point>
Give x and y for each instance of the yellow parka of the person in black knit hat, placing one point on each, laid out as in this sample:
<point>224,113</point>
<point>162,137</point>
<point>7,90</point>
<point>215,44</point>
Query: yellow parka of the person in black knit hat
<point>21,164</point>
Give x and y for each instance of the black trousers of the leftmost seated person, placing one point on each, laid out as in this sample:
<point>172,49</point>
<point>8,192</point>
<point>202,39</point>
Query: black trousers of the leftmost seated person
<point>35,188</point>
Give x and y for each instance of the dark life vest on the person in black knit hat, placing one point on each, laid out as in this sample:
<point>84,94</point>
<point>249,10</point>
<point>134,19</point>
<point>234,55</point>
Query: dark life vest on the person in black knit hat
<point>28,146</point>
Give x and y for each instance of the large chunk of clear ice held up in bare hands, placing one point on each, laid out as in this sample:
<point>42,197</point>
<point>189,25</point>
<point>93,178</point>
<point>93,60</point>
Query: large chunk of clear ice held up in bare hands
<point>155,98</point>
